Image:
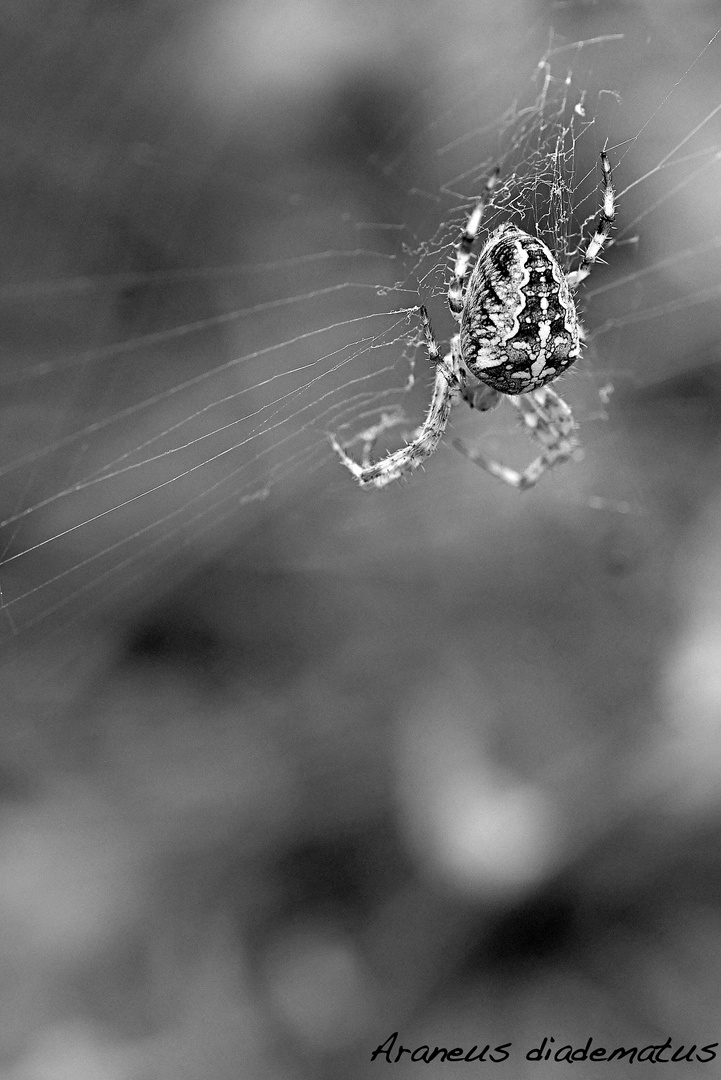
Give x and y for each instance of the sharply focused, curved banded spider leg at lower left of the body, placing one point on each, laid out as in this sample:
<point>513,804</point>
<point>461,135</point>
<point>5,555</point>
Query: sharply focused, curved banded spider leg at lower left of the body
<point>425,440</point>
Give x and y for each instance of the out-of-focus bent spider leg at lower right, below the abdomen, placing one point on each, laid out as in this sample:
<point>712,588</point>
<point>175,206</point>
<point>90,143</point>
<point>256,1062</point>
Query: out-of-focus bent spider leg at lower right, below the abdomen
<point>551,423</point>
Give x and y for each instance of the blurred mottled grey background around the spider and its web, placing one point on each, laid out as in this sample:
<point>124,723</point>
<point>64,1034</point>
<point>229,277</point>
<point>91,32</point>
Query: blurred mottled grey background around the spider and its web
<point>283,776</point>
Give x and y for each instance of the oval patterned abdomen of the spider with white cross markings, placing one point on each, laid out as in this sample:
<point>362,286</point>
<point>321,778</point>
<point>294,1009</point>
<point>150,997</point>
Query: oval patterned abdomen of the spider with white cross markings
<point>520,328</point>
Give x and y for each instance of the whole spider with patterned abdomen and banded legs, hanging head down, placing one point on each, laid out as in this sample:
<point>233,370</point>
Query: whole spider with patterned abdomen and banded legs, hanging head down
<point>519,332</point>
